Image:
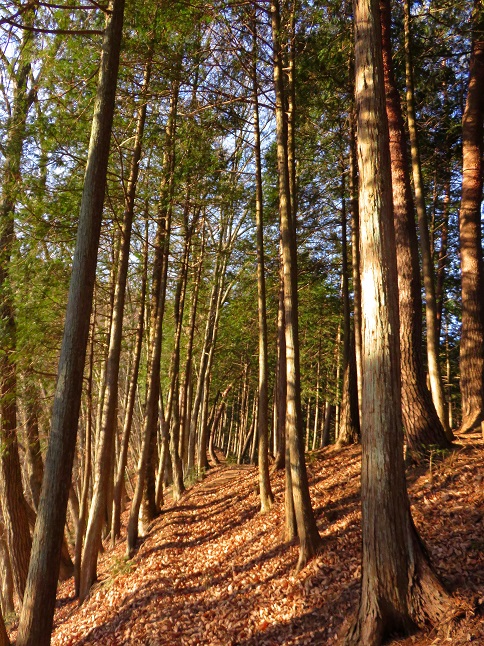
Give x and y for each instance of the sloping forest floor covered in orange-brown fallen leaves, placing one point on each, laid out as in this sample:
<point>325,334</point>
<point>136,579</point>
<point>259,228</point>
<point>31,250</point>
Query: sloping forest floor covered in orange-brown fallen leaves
<point>213,570</point>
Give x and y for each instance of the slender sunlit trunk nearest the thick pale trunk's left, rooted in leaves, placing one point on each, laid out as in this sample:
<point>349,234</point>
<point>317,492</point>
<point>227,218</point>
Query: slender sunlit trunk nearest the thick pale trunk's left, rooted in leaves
<point>310,541</point>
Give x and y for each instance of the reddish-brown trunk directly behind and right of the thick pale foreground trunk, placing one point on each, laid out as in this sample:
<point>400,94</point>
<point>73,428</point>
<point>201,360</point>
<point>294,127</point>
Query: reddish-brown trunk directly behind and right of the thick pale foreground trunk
<point>422,425</point>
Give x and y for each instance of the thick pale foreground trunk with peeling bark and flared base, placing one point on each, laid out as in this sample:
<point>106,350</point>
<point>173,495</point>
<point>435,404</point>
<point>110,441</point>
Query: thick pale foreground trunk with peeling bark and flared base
<point>399,589</point>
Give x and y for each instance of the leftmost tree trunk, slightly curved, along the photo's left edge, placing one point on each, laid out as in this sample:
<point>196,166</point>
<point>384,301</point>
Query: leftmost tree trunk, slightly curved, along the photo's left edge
<point>13,504</point>
